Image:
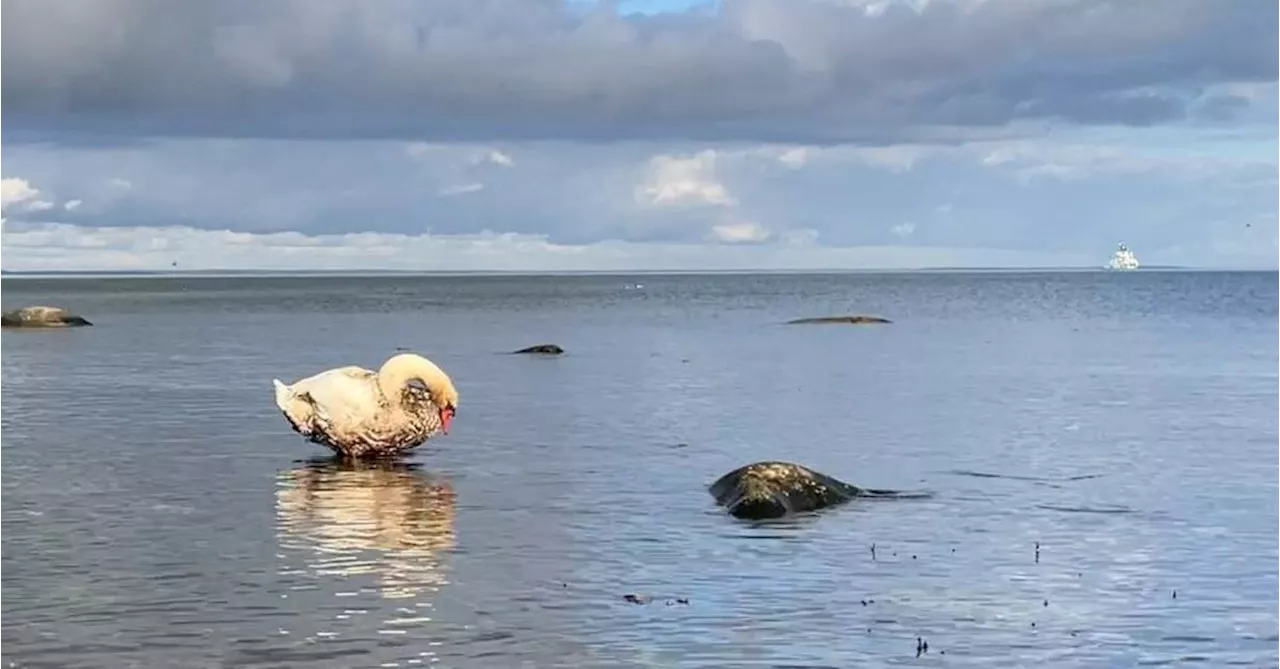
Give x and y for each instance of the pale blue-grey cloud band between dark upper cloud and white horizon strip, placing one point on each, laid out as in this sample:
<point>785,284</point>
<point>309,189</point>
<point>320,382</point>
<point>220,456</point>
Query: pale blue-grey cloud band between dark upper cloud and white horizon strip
<point>1072,195</point>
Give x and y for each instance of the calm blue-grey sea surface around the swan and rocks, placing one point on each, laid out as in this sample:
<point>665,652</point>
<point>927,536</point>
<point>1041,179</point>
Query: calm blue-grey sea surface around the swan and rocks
<point>157,510</point>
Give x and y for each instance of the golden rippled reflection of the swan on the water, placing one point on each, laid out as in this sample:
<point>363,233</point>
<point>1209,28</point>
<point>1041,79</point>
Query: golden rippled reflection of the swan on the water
<point>386,519</point>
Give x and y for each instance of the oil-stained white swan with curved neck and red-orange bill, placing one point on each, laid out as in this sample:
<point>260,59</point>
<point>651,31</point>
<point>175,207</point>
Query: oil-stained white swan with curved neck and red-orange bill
<point>359,413</point>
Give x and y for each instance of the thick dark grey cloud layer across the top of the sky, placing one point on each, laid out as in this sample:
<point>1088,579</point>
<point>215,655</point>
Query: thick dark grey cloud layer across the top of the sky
<point>797,71</point>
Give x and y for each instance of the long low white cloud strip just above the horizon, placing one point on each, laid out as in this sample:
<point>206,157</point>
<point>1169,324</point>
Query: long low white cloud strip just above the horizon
<point>52,248</point>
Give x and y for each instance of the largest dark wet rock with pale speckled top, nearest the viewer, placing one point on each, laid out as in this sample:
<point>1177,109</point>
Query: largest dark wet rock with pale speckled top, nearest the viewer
<point>767,491</point>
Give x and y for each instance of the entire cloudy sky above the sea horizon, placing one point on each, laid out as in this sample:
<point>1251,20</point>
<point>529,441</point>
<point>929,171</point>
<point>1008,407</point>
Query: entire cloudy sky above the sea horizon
<point>638,135</point>
